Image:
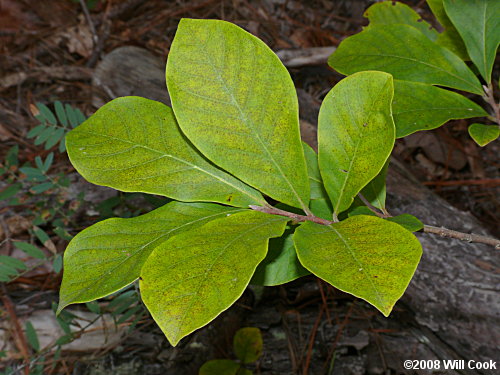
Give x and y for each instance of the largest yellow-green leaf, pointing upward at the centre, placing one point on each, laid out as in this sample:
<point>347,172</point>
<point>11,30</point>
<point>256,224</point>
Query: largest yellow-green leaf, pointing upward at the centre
<point>236,102</point>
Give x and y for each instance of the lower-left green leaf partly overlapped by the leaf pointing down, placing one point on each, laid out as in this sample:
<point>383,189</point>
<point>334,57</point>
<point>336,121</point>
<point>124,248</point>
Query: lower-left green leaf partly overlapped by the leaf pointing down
<point>109,255</point>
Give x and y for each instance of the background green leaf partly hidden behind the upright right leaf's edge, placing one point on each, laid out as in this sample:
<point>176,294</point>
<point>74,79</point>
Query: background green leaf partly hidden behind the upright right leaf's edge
<point>419,106</point>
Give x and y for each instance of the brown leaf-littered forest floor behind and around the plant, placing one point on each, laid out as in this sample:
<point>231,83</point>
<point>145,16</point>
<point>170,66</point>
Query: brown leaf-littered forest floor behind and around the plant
<point>49,50</point>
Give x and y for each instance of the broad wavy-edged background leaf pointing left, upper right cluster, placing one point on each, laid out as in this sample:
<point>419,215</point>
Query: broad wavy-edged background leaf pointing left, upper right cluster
<point>386,48</point>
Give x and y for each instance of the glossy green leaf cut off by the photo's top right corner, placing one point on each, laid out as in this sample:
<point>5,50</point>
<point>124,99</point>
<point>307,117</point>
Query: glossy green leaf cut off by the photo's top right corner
<point>478,23</point>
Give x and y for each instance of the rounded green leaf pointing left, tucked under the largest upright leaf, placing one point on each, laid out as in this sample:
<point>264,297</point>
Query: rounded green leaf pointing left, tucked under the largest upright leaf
<point>134,144</point>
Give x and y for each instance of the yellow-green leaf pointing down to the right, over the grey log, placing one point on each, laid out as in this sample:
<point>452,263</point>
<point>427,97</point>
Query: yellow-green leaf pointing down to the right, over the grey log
<point>365,256</point>
